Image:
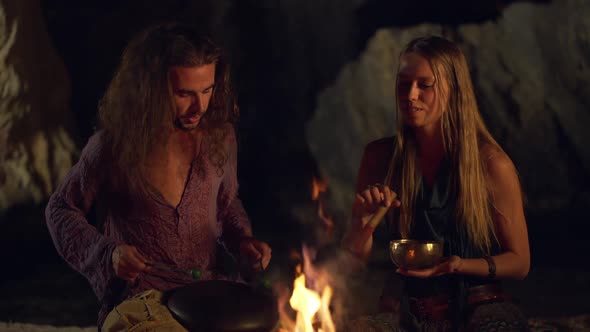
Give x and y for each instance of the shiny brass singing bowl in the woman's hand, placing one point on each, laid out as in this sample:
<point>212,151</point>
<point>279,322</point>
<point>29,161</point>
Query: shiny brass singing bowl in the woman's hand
<point>415,254</point>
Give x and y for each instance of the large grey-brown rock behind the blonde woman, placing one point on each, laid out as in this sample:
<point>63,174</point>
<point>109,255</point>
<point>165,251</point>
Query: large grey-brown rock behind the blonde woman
<point>532,78</point>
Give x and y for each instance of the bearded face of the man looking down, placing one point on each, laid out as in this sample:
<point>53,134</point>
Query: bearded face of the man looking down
<point>192,88</point>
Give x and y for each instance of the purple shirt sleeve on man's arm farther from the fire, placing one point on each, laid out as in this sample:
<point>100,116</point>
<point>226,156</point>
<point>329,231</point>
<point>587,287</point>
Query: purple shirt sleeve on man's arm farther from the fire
<point>80,244</point>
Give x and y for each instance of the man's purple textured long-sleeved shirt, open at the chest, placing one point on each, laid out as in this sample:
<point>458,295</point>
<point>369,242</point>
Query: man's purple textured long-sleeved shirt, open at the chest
<point>185,236</point>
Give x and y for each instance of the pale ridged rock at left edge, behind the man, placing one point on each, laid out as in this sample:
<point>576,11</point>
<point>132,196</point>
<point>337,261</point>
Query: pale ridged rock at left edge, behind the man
<point>36,147</point>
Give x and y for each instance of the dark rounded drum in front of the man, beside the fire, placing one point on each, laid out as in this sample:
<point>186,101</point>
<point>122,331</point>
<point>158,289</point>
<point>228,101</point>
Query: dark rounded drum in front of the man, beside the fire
<point>223,306</point>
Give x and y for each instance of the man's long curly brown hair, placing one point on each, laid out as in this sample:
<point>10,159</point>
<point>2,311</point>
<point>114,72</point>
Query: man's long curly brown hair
<point>137,110</point>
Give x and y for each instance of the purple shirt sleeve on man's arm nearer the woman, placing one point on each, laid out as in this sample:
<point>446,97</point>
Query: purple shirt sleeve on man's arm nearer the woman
<point>235,222</point>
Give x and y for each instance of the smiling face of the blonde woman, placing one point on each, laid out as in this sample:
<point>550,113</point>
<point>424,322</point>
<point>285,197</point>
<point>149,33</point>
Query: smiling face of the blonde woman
<point>418,100</point>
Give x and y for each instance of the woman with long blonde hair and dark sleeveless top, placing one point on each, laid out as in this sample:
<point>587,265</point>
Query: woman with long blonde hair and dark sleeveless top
<point>446,179</point>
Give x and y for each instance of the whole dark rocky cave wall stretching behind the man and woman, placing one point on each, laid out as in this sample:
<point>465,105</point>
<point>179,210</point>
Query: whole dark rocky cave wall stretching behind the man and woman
<point>314,83</point>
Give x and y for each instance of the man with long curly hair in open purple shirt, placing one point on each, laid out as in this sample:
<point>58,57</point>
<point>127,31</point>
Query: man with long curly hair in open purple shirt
<point>161,172</point>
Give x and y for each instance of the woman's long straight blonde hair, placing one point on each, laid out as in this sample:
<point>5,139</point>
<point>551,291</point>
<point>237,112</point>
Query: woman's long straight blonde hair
<point>466,140</point>
